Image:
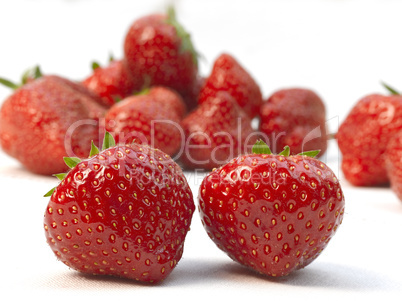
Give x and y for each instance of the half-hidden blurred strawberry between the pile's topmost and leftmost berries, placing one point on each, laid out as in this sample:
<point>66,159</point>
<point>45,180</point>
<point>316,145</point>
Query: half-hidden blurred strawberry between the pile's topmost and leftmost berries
<point>112,83</point>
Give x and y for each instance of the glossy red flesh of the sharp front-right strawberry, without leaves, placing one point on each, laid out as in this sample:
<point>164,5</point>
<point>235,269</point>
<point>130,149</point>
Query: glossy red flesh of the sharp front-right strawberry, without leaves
<point>265,212</point>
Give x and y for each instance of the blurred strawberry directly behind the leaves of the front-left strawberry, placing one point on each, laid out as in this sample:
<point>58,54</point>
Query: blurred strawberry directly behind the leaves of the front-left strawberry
<point>152,118</point>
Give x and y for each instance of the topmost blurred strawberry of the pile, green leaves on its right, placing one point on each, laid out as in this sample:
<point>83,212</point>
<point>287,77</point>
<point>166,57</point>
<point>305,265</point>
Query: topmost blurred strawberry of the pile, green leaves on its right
<point>159,51</point>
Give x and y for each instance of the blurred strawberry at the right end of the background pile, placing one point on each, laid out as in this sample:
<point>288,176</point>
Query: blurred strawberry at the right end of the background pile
<point>288,118</point>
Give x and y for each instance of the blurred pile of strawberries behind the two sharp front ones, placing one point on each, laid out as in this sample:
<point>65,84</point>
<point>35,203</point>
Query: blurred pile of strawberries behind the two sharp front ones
<point>155,95</point>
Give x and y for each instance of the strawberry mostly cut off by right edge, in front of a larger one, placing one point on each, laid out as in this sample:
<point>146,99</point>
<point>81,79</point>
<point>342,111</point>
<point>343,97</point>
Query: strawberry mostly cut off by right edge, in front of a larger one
<point>393,164</point>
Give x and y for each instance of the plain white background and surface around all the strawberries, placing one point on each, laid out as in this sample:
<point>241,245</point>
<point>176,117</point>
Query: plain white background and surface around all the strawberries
<point>341,49</point>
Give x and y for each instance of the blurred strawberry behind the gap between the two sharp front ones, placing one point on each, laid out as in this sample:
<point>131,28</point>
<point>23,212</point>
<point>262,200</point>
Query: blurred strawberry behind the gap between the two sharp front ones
<point>216,131</point>
